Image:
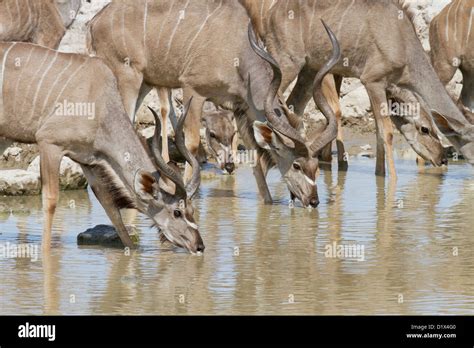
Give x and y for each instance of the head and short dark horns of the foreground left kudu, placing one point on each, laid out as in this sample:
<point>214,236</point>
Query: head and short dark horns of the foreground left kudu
<point>173,213</point>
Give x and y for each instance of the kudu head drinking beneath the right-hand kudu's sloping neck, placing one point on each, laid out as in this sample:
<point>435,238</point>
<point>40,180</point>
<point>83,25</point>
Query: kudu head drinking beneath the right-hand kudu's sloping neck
<point>416,126</point>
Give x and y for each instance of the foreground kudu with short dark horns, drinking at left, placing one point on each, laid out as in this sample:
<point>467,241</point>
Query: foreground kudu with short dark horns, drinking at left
<point>69,105</point>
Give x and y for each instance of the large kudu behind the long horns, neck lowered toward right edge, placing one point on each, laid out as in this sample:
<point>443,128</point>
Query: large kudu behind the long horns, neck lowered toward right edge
<point>380,58</point>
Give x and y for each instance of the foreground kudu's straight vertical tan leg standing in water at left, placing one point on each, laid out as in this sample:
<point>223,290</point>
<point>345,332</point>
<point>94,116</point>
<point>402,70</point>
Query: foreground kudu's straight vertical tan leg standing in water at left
<point>50,161</point>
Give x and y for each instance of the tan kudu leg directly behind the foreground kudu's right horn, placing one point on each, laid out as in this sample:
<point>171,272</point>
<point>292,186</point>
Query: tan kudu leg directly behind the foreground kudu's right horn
<point>192,127</point>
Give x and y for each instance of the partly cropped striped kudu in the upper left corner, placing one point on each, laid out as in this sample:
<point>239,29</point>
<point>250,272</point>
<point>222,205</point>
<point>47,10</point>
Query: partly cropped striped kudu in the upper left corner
<point>42,22</point>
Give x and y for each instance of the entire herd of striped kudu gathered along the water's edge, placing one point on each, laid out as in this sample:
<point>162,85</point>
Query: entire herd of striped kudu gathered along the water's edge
<point>169,44</point>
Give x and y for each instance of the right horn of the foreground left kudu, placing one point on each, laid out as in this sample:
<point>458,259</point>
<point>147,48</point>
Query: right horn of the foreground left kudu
<point>193,185</point>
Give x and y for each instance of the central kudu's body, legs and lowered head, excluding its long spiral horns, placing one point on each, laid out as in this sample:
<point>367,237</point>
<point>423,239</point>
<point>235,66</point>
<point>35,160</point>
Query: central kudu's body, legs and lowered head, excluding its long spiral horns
<point>185,44</point>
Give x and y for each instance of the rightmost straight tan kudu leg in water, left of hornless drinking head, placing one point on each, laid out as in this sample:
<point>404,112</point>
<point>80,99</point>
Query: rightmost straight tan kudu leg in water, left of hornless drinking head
<point>378,99</point>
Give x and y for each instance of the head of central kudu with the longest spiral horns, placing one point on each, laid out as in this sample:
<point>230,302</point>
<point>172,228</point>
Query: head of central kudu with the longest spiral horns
<point>294,154</point>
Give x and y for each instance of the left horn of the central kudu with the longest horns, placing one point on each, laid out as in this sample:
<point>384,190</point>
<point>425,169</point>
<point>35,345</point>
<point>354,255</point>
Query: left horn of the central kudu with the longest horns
<point>278,123</point>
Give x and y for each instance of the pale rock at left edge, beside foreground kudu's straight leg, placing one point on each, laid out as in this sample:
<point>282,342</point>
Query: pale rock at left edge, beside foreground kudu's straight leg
<point>16,182</point>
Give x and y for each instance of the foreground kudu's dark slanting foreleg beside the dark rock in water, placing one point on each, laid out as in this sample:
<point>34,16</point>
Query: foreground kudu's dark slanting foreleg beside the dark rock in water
<point>106,200</point>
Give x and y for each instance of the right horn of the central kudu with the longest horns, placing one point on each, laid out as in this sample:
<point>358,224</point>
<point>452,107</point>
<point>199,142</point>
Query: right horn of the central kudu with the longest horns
<point>330,132</point>
